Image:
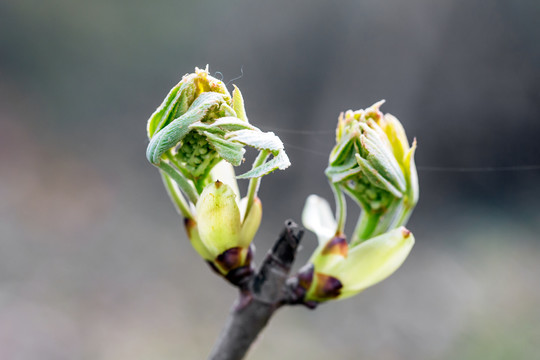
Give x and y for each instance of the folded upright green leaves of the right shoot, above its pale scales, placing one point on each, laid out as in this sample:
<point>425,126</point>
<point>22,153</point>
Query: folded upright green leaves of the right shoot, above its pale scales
<point>373,163</point>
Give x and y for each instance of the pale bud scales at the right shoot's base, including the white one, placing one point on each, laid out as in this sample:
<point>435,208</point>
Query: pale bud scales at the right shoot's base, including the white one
<point>338,270</point>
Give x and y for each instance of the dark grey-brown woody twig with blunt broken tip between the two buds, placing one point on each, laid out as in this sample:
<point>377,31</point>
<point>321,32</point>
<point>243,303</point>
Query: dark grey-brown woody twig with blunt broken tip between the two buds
<point>258,300</point>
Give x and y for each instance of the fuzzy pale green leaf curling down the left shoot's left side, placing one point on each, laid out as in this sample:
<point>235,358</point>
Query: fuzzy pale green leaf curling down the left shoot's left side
<point>172,134</point>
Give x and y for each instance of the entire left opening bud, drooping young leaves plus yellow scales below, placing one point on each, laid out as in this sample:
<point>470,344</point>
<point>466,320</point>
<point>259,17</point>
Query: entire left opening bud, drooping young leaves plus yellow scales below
<point>196,137</point>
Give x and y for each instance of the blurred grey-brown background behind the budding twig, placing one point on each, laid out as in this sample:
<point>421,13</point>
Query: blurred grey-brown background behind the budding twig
<point>94,262</point>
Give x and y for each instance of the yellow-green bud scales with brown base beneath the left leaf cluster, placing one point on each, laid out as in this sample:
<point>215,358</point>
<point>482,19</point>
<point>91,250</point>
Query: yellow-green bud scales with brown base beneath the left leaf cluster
<point>224,238</point>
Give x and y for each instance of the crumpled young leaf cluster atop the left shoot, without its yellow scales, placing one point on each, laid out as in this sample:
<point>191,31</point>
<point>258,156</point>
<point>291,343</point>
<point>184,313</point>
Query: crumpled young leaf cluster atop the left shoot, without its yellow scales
<point>199,124</point>
